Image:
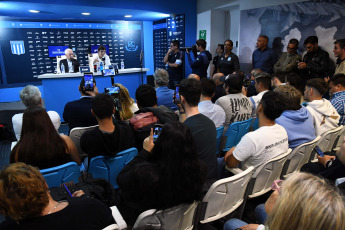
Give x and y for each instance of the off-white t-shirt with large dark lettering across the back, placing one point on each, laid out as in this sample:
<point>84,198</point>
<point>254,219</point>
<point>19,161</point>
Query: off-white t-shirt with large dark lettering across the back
<point>237,107</point>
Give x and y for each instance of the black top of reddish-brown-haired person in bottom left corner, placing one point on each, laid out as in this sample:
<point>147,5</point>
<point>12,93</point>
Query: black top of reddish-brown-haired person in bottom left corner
<point>80,213</point>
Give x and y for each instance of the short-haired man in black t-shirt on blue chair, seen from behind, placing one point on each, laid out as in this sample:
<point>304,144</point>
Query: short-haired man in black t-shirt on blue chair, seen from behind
<point>111,136</point>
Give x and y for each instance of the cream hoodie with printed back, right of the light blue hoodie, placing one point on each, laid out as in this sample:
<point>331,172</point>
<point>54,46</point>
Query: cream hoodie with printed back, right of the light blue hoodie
<point>325,116</point>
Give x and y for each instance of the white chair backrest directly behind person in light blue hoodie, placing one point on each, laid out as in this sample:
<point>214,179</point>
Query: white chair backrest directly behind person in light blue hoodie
<point>298,157</point>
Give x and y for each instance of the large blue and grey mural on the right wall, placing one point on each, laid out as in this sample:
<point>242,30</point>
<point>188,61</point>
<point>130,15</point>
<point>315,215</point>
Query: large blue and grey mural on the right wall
<point>325,19</point>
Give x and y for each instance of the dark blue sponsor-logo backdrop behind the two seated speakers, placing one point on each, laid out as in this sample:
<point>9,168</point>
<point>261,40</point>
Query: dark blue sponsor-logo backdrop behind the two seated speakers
<point>29,49</point>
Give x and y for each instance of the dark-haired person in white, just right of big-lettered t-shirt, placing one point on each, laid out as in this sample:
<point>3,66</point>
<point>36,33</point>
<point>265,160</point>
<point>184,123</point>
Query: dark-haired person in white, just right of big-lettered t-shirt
<point>262,85</point>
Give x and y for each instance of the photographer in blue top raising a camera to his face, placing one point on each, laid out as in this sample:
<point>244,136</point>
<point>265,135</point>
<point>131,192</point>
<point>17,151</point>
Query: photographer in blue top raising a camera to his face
<point>200,64</point>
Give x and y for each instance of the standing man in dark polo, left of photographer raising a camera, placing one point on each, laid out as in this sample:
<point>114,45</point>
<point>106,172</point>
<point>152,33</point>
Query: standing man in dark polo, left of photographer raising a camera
<point>173,61</point>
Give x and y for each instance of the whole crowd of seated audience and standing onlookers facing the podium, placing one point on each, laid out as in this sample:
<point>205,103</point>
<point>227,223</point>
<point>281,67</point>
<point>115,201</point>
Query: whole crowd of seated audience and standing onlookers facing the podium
<point>287,95</point>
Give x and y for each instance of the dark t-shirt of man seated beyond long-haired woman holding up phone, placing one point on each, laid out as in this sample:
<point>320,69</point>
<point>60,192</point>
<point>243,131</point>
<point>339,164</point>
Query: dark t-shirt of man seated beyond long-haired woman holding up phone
<point>205,138</point>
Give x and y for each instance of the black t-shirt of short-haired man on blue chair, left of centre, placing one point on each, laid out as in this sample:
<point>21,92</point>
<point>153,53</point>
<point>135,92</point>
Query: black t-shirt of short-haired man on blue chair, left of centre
<point>98,143</point>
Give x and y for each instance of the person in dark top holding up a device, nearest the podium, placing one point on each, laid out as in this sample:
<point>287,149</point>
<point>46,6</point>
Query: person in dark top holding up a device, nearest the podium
<point>78,113</point>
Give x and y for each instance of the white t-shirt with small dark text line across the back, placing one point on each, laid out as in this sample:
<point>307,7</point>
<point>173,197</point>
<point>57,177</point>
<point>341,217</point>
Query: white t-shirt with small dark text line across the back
<point>261,145</point>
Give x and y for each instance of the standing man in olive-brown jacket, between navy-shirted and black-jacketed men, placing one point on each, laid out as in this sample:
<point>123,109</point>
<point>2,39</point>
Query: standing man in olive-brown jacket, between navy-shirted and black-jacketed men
<point>288,61</point>
